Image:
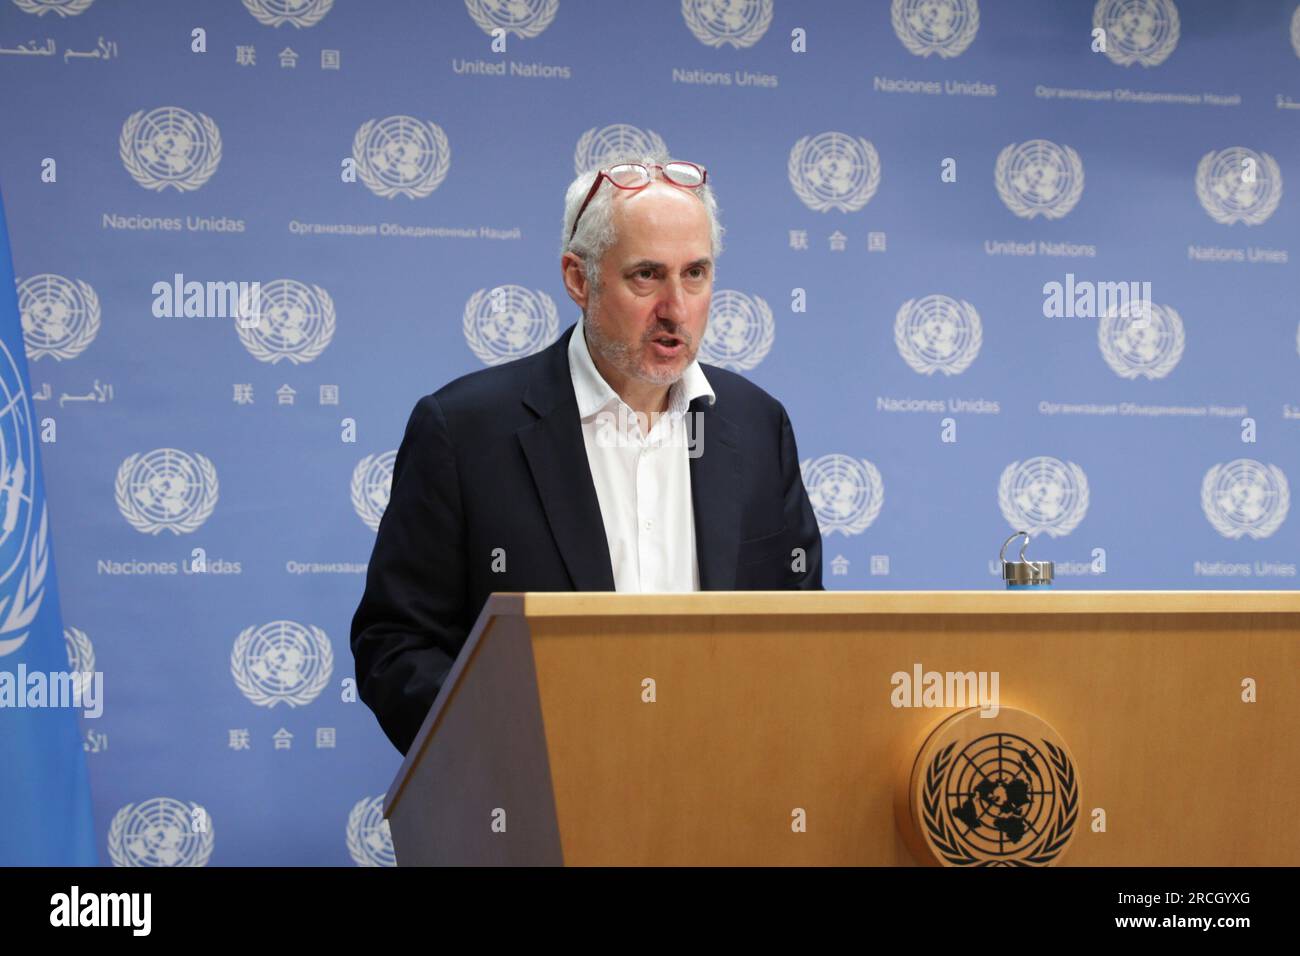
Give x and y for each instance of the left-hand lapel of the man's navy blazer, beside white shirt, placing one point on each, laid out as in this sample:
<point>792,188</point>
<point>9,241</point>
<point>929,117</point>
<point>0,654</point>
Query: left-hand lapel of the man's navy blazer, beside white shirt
<point>557,457</point>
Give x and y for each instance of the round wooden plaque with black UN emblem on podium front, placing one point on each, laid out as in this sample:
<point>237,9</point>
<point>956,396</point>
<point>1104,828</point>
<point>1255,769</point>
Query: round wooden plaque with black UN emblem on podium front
<point>996,791</point>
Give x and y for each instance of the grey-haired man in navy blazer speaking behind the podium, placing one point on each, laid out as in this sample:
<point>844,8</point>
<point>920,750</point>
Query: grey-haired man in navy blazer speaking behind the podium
<point>605,462</point>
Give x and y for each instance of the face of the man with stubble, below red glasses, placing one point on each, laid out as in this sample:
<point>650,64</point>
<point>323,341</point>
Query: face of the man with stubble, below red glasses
<point>656,284</point>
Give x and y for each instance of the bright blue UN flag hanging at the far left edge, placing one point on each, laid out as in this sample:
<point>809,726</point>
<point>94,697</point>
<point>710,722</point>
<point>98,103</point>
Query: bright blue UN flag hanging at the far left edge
<point>46,816</point>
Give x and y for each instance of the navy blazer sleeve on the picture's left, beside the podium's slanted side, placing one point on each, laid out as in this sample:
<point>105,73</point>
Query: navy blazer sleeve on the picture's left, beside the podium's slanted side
<point>410,624</point>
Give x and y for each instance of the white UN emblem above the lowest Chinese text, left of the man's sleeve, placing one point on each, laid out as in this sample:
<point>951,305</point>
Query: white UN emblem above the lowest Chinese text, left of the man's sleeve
<point>281,663</point>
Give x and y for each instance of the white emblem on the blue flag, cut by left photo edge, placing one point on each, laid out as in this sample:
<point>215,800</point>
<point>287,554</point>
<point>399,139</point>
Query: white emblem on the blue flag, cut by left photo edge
<point>24,551</point>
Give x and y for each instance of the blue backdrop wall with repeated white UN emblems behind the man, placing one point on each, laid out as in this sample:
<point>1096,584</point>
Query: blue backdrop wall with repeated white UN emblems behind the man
<point>902,187</point>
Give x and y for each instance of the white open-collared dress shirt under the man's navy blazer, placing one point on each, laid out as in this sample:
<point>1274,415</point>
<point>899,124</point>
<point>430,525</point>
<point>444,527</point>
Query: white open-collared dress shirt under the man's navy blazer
<point>643,482</point>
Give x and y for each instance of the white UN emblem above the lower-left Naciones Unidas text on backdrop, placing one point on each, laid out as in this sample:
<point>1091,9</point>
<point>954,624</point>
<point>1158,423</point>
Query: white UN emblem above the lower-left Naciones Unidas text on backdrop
<point>166,490</point>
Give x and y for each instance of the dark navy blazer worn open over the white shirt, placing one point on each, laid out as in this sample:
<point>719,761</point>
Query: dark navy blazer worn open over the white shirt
<point>495,465</point>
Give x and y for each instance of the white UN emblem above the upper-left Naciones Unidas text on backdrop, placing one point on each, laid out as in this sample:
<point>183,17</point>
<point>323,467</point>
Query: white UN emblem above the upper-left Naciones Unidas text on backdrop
<point>170,148</point>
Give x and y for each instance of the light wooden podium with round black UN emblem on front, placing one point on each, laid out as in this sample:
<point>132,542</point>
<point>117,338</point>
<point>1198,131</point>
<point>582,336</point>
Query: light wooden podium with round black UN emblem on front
<point>774,729</point>
